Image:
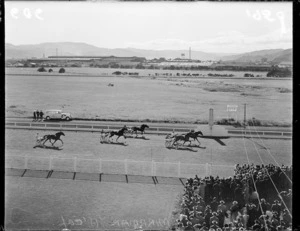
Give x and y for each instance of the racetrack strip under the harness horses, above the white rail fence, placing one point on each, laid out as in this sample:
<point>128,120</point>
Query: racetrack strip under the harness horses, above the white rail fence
<point>87,146</point>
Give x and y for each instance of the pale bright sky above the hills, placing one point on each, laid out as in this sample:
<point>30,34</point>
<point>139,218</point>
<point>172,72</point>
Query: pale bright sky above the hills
<point>217,27</point>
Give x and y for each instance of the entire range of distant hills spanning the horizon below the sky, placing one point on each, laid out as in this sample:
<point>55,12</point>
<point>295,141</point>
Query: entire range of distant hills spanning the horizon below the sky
<point>82,49</point>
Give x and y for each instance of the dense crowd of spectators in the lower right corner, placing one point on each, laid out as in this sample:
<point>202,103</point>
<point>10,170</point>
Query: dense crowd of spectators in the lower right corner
<point>256,197</point>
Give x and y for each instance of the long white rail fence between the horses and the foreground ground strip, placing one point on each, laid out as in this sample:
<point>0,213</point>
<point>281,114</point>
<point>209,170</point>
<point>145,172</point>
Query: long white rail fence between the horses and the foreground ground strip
<point>128,167</point>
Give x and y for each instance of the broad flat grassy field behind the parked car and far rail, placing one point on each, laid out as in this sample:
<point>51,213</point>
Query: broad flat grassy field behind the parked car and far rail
<point>159,98</point>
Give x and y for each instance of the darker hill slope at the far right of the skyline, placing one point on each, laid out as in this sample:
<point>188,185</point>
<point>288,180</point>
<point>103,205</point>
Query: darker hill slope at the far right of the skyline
<point>275,56</point>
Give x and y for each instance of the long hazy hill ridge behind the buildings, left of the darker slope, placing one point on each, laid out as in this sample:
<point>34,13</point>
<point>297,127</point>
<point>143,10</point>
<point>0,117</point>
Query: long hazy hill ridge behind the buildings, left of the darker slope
<point>81,49</point>
